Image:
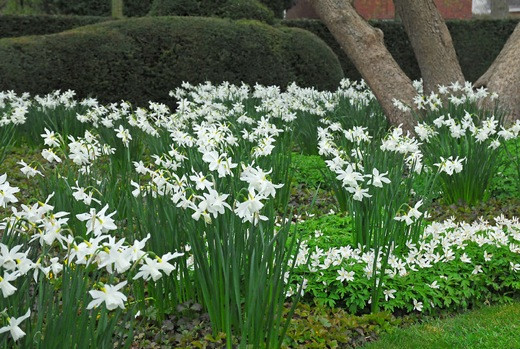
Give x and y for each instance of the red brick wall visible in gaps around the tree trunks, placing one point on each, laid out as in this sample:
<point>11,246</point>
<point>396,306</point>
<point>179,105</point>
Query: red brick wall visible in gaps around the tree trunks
<point>384,9</point>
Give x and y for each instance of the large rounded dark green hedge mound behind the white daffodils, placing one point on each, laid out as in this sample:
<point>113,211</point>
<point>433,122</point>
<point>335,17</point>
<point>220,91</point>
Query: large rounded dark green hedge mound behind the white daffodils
<point>143,59</point>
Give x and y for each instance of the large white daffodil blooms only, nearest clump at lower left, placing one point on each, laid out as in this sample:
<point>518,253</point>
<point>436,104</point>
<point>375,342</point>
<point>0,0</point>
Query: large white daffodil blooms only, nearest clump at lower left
<point>51,231</point>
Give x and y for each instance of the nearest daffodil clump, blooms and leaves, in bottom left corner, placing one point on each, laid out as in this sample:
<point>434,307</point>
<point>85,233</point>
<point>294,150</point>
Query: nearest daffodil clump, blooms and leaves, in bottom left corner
<point>61,275</point>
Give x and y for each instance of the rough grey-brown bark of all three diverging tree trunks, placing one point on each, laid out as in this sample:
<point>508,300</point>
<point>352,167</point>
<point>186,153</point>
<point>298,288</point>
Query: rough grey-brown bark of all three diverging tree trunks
<point>364,46</point>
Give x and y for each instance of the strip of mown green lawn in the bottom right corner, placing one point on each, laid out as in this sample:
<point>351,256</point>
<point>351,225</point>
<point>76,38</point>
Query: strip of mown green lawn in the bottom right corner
<point>489,327</point>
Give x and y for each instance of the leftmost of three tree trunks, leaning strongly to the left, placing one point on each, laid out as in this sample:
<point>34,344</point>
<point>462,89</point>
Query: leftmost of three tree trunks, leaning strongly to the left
<point>365,47</point>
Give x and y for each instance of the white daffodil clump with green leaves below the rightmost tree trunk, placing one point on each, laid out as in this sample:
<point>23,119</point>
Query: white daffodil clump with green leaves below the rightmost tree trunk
<point>459,137</point>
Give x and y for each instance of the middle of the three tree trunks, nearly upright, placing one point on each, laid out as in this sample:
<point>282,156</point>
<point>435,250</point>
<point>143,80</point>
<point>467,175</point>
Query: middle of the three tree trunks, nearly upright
<point>431,42</point>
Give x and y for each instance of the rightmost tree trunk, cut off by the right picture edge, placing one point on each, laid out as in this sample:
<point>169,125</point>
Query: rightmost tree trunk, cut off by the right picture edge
<point>503,77</point>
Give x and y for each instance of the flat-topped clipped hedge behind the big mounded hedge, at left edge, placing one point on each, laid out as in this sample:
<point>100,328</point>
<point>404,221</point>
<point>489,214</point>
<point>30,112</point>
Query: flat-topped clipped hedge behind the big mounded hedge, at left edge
<point>17,25</point>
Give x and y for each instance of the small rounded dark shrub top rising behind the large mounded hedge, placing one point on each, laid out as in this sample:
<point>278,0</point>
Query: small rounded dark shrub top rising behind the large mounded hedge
<point>234,9</point>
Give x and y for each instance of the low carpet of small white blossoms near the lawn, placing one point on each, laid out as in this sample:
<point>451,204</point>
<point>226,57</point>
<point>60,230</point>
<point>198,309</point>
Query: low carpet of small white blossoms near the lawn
<point>440,243</point>
